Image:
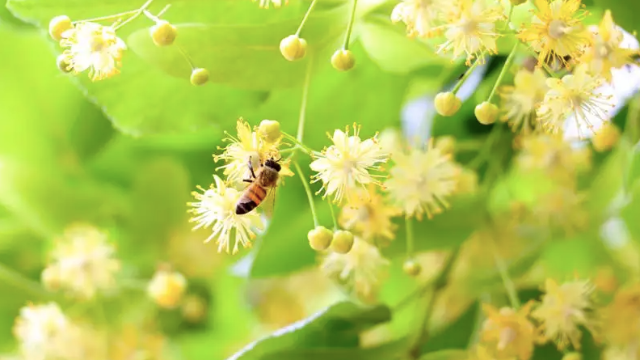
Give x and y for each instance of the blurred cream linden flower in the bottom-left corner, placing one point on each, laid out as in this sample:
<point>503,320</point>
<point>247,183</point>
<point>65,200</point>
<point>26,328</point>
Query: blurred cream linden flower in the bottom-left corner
<point>40,331</point>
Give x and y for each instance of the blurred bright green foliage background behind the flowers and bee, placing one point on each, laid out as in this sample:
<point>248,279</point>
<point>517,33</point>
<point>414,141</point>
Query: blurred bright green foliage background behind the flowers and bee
<point>125,154</point>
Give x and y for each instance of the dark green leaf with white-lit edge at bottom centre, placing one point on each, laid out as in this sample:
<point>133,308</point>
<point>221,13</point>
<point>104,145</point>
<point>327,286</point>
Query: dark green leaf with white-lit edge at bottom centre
<point>335,327</point>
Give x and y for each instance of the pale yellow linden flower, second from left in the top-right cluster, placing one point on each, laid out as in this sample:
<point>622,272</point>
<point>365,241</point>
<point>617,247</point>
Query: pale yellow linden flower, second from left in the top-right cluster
<point>471,29</point>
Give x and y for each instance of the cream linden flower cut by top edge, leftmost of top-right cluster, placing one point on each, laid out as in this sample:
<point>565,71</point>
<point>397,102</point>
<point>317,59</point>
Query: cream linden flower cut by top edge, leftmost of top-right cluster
<point>420,16</point>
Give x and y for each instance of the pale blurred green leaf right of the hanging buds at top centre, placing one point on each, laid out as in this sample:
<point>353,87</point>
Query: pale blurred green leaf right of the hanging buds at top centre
<point>390,48</point>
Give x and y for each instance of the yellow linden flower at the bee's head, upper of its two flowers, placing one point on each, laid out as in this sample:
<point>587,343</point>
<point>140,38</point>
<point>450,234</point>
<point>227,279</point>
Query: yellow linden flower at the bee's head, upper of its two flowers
<point>248,148</point>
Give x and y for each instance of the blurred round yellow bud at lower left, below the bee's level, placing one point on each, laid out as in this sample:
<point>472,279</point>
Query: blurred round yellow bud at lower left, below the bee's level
<point>166,288</point>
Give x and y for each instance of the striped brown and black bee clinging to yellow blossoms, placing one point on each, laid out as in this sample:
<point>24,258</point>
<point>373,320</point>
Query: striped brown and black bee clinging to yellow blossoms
<point>264,180</point>
